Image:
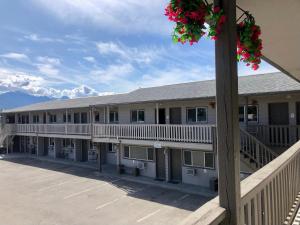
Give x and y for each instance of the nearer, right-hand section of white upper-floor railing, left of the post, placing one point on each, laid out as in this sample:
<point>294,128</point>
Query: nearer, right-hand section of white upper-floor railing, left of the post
<point>165,132</point>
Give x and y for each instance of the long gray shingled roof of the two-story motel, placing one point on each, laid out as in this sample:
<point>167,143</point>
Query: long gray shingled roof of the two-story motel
<point>248,85</point>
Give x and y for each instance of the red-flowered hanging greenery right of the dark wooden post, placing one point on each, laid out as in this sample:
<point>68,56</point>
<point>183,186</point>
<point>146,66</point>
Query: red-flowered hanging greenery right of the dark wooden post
<point>249,45</point>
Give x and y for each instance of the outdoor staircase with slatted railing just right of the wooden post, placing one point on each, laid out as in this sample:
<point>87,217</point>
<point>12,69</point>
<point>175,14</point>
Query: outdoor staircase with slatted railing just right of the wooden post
<point>254,153</point>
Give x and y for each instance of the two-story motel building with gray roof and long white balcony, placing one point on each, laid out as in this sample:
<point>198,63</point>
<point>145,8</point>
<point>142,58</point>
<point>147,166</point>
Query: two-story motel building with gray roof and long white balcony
<point>167,132</point>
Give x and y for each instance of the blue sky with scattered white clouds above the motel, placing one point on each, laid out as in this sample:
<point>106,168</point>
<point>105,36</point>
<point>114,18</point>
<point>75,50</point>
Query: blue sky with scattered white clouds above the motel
<point>91,47</point>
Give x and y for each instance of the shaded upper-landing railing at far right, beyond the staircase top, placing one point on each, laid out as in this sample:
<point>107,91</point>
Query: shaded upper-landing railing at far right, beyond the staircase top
<point>276,135</point>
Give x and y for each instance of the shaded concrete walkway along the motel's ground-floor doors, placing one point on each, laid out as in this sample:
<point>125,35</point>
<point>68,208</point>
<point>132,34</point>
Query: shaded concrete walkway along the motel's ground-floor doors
<point>111,170</point>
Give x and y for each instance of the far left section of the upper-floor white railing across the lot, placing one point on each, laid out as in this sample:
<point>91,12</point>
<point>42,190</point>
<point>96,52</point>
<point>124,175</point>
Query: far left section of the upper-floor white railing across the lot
<point>66,129</point>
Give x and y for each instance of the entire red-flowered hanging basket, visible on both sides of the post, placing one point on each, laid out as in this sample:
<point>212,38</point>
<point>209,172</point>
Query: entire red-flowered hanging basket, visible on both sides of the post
<point>190,18</point>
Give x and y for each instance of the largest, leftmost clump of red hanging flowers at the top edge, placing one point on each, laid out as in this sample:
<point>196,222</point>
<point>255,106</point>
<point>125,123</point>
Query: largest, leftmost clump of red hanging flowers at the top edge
<point>189,17</point>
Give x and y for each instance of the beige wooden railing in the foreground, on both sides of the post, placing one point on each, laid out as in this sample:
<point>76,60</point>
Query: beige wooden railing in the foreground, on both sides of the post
<point>270,196</point>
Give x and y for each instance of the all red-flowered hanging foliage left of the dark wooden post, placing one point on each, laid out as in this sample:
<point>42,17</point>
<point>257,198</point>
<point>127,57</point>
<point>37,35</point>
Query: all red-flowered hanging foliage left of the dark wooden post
<point>190,18</point>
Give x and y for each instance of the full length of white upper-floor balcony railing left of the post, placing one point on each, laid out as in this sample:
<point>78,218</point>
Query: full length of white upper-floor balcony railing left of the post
<point>153,132</point>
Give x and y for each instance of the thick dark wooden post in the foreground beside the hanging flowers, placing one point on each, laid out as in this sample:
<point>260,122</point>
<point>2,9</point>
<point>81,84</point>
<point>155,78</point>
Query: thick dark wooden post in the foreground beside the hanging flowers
<point>227,115</point>
